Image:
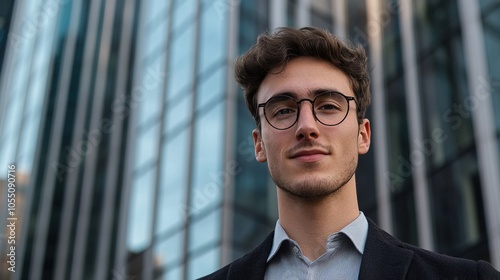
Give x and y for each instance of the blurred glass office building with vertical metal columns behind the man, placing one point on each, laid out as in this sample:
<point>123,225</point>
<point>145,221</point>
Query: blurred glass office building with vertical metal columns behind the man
<point>132,144</point>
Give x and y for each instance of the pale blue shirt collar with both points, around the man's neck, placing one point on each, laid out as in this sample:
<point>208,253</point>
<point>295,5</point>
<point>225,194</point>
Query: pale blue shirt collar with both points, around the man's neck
<point>357,232</point>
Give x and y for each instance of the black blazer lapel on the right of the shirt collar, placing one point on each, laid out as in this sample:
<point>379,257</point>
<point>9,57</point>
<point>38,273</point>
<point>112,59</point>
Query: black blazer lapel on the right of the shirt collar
<point>384,257</point>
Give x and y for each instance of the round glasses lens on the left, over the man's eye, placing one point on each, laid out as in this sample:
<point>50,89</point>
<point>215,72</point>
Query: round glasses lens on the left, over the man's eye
<point>281,111</point>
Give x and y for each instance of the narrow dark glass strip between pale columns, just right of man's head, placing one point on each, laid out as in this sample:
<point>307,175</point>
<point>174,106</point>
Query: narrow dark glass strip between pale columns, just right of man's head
<point>401,177</point>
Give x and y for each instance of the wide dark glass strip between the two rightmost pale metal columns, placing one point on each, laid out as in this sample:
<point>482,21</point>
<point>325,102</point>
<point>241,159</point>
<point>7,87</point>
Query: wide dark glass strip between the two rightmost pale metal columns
<point>456,203</point>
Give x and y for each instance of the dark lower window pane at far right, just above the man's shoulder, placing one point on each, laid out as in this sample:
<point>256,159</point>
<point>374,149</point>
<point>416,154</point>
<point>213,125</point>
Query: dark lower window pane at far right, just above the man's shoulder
<point>456,206</point>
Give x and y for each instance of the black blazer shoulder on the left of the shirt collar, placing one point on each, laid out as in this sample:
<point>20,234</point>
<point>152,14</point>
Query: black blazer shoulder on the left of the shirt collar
<point>250,266</point>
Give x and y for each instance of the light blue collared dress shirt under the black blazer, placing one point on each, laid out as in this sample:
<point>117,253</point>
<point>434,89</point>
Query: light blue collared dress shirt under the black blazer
<point>342,259</point>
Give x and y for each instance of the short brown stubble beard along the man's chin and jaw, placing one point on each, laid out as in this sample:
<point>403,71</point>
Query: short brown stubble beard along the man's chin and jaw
<point>315,188</point>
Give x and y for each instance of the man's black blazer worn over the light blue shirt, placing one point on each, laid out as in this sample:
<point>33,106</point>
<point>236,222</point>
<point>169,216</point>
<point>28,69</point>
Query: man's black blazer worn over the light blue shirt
<point>384,257</point>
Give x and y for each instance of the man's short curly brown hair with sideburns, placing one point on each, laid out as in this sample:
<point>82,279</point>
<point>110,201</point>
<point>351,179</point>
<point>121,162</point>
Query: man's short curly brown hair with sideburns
<point>273,50</point>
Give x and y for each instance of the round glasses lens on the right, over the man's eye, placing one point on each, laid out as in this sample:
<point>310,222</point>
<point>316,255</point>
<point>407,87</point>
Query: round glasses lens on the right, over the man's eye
<point>331,108</point>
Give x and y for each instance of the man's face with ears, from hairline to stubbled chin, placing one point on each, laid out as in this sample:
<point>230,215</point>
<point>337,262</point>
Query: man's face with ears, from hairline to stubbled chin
<point>309,159</point>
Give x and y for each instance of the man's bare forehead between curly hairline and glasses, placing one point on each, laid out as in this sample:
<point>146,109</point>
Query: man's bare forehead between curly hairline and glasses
<point>303,77</point>
